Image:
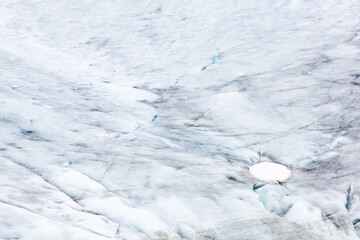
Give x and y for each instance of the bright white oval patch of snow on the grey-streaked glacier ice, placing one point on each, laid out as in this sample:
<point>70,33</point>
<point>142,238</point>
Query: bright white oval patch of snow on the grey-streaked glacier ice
<point>270,172</point>
